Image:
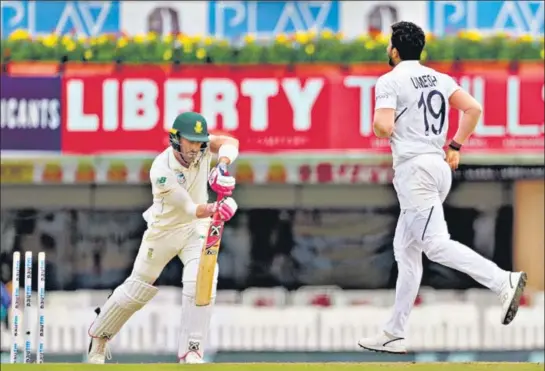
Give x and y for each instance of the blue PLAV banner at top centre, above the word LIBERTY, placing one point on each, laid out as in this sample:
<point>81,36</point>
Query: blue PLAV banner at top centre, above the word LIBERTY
<point>233,19</point>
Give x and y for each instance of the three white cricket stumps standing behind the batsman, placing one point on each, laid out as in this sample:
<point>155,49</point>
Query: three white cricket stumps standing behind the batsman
<point>27,308</point>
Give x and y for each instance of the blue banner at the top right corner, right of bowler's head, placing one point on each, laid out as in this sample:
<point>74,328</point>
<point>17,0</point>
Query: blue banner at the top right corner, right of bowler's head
<point>517,17</point>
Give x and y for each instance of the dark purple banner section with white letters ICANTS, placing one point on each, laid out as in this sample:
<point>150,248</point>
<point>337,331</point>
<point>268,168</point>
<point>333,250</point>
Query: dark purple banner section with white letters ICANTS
<point>31,113</point>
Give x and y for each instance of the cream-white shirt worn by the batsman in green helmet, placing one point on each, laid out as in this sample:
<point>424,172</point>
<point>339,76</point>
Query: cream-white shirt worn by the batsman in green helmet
<point>165,174</point>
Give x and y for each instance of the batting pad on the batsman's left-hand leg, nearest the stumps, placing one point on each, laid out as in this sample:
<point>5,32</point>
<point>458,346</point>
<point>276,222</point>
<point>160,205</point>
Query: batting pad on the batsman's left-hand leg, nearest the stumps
<point>128,298</point>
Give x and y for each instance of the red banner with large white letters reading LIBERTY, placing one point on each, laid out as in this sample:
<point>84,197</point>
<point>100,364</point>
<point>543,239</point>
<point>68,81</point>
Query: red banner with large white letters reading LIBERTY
<point>274,110</point>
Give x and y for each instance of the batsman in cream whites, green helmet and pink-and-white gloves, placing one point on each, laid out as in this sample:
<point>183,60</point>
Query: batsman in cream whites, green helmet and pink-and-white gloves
<point>178,222</point>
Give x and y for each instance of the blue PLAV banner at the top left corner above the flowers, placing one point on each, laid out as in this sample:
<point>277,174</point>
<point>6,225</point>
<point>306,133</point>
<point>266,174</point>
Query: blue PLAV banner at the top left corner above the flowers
<point>89,18</point>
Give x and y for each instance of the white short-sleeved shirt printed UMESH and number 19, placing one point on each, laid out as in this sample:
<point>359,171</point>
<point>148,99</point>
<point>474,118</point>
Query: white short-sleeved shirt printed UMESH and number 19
<point>420,96</point>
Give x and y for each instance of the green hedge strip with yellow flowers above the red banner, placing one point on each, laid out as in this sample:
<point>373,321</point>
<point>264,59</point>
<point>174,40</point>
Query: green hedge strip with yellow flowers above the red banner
<point>325,46</point>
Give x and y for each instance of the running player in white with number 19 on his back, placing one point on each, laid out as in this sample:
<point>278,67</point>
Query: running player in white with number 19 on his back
<point>411,109</point>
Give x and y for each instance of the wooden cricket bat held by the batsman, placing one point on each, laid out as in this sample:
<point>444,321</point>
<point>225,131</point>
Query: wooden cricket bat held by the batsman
<point>209,258</point>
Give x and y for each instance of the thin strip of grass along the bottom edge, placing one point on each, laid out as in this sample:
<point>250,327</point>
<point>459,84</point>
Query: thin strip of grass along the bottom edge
<point>283,367</point>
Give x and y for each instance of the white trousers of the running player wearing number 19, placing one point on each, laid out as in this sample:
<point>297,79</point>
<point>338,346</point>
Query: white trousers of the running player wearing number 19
<point>422,185</point>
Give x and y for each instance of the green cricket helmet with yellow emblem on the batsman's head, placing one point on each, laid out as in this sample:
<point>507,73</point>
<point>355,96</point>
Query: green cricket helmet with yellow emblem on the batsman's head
<point>191,126</point>
